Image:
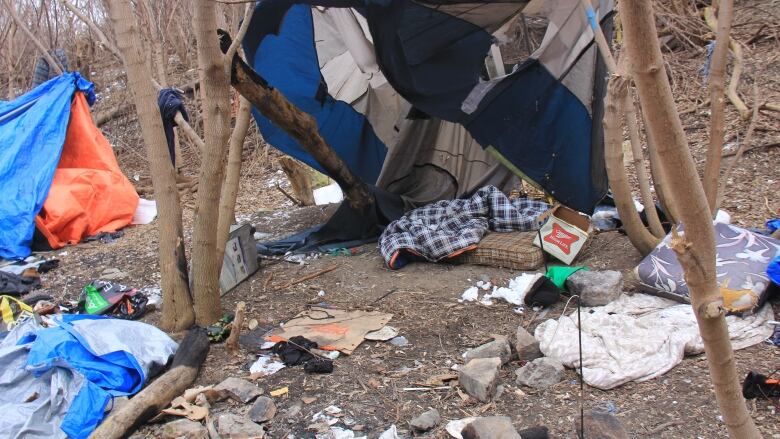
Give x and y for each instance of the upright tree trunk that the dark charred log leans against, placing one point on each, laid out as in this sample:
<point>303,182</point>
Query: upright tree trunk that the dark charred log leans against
<point>215,86</point>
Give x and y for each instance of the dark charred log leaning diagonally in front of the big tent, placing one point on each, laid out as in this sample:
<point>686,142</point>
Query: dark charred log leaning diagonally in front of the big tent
<point>299,125</point>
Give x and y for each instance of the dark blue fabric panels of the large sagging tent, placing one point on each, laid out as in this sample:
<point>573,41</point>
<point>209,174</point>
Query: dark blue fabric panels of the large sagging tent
<point>434,60</point>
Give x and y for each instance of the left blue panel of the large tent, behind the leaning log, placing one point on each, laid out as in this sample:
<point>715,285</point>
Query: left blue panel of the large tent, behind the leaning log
<point>298,77</point>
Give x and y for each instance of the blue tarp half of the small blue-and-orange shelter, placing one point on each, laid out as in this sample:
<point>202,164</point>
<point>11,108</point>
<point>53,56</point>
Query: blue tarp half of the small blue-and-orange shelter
<point>32,133</point>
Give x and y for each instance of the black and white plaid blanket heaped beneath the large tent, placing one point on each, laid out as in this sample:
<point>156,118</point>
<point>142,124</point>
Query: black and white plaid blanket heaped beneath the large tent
<point>450,227</point>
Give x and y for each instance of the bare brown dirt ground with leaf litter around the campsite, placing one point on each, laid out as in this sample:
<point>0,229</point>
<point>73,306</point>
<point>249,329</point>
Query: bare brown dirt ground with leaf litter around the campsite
<point>422,298</point>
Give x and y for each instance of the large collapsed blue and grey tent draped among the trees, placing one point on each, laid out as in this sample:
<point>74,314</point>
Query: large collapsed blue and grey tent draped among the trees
<point>398,89</point>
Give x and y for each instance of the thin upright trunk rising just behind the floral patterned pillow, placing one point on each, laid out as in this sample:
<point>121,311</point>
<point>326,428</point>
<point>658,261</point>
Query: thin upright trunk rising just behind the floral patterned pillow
<point>717,103</point>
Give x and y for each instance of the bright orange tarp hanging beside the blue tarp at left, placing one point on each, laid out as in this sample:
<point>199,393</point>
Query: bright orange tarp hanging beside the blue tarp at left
<point>89,193</point>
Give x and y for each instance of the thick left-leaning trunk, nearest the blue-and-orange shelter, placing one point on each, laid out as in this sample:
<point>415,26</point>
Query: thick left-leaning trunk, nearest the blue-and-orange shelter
<point>177,312</point>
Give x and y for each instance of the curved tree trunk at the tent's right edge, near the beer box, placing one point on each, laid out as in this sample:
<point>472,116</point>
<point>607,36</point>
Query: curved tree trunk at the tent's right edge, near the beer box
<point>643,240</point>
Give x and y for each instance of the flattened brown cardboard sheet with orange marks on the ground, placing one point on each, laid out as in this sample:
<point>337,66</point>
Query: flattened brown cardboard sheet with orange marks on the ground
<point>333,329</point>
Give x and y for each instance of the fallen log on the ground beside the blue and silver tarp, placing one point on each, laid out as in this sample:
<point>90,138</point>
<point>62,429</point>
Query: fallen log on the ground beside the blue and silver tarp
<point>159,394</point>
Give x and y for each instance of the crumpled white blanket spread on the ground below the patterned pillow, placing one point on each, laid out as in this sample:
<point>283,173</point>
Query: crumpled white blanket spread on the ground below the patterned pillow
<point>637,338</point>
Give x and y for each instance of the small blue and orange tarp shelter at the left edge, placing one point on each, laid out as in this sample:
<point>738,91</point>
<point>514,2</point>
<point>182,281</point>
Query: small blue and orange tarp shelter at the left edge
<point>57,171</point>
